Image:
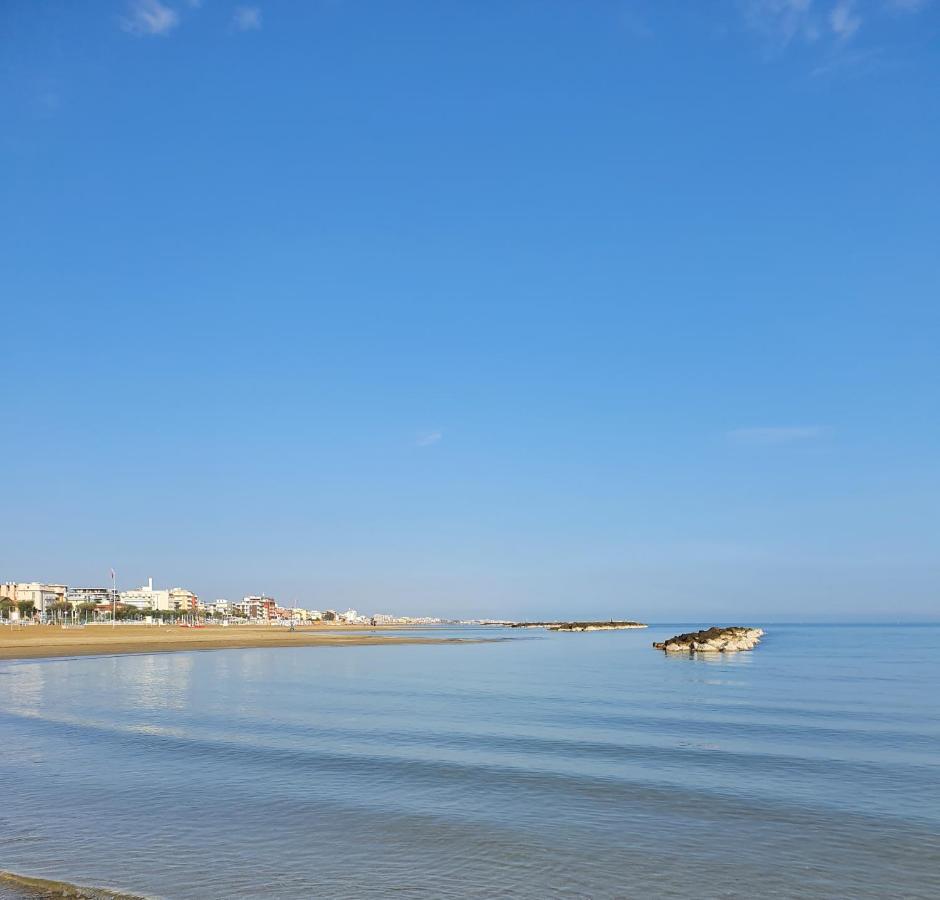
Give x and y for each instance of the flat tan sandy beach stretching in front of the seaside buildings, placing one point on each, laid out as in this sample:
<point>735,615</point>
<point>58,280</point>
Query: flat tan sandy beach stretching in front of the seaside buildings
<point>50,641</point>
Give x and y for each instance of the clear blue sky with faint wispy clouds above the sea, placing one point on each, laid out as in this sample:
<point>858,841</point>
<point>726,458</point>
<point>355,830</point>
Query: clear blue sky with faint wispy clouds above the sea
<point>528,308</point>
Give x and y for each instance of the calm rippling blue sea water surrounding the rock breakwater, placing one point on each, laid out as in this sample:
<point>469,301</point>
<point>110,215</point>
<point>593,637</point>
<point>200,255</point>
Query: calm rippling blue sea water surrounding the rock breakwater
<point>581,765</point>
